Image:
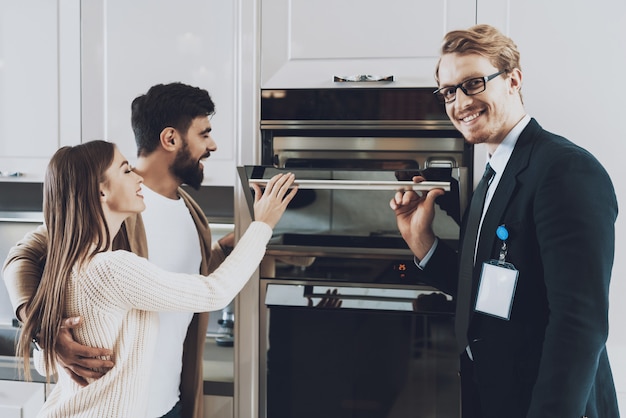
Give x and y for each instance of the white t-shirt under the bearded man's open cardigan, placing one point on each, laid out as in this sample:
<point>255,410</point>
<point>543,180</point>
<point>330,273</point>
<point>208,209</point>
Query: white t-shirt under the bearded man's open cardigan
<point>174,245</point>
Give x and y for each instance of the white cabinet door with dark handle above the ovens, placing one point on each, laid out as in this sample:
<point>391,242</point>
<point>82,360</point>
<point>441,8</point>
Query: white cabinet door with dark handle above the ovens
<point>304,44</point>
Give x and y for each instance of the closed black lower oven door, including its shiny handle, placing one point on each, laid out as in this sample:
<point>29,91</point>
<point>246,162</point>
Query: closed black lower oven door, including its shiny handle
<point>337,350</point>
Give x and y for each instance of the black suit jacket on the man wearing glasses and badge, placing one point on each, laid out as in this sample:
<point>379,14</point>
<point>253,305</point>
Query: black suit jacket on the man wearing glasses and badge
<point>549,359</point>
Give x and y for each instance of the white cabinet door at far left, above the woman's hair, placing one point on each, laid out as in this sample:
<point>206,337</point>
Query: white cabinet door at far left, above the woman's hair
<point>39,84</point>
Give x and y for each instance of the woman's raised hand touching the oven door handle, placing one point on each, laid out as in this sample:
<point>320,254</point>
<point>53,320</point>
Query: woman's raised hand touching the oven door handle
<point>269,205</point>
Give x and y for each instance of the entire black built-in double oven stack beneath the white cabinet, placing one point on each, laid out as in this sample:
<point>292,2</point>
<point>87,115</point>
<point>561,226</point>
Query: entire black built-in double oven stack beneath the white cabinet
<point>347,326</point>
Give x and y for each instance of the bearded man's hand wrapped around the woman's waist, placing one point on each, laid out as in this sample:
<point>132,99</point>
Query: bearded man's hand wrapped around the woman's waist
<point>80,362</point>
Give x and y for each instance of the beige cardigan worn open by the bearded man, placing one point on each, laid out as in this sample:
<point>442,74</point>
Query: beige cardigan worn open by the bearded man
<point>24,265</point>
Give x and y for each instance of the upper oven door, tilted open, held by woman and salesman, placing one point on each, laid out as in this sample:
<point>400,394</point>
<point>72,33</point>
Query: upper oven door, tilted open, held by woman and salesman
<point>341,210</point>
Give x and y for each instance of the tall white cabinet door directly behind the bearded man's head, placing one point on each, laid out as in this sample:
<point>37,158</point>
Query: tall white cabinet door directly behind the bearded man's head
<point>130,46</point>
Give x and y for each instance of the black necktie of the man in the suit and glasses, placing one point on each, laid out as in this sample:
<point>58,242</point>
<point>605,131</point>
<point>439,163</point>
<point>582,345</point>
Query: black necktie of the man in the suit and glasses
<point>466,263</point>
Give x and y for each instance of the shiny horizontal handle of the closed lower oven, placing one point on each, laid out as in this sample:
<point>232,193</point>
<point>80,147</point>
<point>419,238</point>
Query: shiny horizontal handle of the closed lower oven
<point>426,299</point>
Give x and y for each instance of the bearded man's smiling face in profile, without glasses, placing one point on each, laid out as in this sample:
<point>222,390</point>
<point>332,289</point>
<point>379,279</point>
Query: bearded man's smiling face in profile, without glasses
<point>197,146</point>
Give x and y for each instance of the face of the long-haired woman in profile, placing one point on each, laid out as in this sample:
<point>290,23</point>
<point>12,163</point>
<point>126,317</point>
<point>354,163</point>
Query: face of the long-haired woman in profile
<point>121,191</point>
